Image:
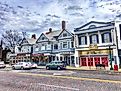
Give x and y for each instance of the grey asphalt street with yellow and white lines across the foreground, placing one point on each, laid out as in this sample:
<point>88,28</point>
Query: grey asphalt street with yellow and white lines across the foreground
<point>54,80</point>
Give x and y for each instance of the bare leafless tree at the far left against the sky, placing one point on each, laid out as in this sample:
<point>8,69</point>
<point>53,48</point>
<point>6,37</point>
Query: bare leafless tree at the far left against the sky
<point>11,38</point>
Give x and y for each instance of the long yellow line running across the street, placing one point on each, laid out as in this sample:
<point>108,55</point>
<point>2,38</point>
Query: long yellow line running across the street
<point>74,78</point>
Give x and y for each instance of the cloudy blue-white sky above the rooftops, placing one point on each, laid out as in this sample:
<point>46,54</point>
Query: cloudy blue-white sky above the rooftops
<point>36,16</point>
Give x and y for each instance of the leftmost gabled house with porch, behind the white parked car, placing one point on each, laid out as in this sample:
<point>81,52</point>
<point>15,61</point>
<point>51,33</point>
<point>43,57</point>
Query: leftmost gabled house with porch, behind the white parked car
<point>23,51</point>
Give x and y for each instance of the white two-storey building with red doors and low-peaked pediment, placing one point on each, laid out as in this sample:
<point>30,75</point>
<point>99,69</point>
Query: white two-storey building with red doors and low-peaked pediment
<point>95,43</point>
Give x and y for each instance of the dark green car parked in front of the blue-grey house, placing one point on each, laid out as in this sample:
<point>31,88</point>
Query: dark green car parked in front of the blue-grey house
<point>56,65</point>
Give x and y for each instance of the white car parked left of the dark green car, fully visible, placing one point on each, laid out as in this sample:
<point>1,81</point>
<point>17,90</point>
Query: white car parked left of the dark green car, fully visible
<point>21,65</point>
